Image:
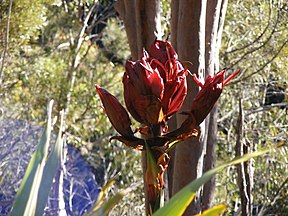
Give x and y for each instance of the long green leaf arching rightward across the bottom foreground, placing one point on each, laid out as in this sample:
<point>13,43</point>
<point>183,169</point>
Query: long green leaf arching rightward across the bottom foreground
<point>179,202</point>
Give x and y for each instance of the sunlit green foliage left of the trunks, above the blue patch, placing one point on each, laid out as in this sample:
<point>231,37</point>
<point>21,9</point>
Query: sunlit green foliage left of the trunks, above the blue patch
<point>39,69</point>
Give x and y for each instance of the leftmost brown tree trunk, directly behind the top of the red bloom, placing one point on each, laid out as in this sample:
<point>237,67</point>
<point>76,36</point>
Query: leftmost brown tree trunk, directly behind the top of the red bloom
<point>142,23</point>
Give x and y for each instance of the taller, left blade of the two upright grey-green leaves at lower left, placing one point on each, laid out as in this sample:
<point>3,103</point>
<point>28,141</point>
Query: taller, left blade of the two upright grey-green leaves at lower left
<point>26,198</point>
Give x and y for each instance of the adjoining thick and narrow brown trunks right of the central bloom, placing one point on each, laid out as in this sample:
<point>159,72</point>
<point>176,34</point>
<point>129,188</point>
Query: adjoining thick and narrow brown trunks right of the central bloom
<point>196,30</point>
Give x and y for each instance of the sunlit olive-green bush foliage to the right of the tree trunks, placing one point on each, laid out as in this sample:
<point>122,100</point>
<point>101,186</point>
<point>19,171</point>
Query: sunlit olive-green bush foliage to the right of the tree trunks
<point>253,40</point>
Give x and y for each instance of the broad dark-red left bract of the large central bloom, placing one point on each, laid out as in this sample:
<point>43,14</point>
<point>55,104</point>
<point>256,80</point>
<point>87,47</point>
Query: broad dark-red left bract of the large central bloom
<point>143,91</point>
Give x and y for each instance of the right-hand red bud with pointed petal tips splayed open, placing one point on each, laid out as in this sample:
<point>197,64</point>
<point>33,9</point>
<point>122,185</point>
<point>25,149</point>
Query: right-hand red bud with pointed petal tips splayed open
<point>209,94</point>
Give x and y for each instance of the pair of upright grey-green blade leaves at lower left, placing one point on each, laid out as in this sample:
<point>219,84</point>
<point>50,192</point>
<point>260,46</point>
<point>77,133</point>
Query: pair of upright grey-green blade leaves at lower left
<point>30,200</point>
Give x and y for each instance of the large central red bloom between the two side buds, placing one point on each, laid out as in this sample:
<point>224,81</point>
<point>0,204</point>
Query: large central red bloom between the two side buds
<point>155,86</point>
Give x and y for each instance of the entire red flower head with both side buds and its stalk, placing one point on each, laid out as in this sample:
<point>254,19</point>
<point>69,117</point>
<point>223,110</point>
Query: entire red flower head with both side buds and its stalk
<point>154,89</point>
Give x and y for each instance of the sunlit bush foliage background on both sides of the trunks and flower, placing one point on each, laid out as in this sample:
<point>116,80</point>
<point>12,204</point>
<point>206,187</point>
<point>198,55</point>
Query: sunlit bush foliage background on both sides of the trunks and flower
<point>52,52</point>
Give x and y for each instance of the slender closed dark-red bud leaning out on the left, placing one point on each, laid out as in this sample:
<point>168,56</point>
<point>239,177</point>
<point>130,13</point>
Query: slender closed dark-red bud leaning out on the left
<point>116,113</point>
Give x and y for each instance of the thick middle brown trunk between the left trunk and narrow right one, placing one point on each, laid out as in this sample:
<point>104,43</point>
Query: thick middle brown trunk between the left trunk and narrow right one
<point>188,32</point>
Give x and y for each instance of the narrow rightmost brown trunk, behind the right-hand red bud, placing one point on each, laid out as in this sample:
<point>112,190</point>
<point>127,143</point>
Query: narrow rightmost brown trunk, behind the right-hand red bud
<point>212,22</point>
